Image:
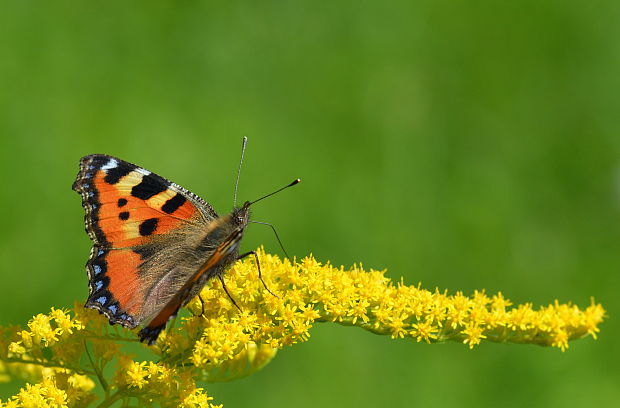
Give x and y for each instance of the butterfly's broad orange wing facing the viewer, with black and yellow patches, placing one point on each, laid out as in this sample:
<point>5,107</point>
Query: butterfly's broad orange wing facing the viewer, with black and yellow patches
<point>145,231</point>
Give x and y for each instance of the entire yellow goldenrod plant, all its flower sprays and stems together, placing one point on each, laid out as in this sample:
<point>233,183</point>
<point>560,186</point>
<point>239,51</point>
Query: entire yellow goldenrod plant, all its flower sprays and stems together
<point>62,355</point>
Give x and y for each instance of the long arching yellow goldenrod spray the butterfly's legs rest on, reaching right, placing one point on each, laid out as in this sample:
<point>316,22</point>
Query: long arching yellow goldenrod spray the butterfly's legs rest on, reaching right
<point>309,292</point>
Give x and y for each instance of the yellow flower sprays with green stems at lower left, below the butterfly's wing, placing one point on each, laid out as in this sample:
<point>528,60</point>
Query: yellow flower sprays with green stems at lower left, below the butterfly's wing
<point>51,354</point>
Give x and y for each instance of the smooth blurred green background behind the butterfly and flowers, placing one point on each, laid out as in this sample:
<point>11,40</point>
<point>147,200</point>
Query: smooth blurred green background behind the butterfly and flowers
<point>466,145</point>
